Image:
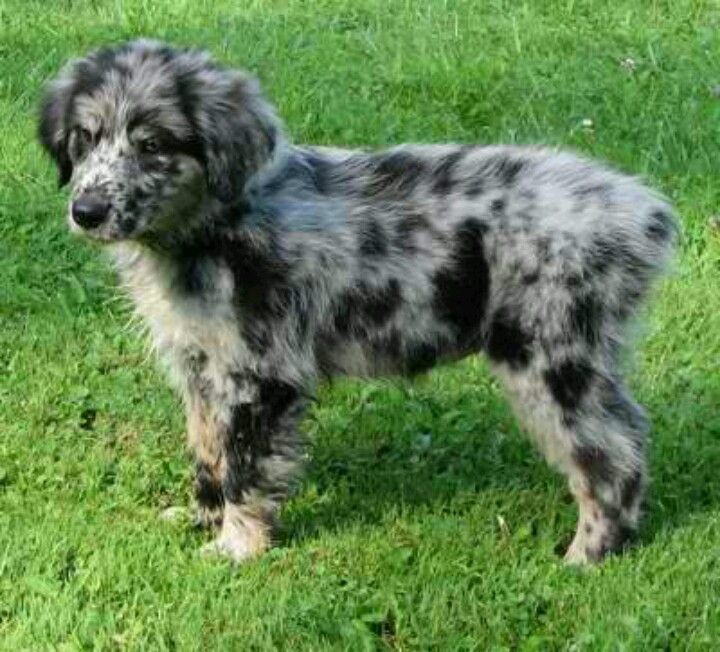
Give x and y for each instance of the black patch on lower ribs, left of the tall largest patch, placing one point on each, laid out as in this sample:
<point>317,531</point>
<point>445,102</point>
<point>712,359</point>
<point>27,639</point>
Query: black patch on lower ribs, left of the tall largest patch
<point>365,307</point>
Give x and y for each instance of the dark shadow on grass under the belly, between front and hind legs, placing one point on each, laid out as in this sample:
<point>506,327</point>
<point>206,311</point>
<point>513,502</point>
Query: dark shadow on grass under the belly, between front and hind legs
<point>407,450</point>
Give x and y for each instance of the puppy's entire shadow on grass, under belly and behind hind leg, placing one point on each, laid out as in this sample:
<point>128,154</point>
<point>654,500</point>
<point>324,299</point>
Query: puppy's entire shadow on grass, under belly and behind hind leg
<point>401,446</point>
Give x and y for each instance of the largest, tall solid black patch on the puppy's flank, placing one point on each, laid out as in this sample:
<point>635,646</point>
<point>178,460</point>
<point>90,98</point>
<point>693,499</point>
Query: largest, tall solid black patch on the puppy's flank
<point>461,288</point>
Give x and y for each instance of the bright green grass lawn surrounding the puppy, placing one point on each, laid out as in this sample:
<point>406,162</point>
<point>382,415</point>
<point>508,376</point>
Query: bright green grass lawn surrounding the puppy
<point>426,520</point>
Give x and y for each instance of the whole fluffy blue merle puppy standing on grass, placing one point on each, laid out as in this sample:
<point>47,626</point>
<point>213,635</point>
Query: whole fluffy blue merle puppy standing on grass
<point>262,268</point>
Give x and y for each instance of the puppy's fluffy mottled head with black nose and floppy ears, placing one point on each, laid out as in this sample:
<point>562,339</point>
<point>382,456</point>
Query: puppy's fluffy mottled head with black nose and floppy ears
<point>144,133</point>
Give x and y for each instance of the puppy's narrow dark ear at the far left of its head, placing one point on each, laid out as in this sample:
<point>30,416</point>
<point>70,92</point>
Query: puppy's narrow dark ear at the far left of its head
<point>52,129</point>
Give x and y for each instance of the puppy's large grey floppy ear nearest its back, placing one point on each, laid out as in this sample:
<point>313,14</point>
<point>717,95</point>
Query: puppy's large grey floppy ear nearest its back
<point>238,129</point>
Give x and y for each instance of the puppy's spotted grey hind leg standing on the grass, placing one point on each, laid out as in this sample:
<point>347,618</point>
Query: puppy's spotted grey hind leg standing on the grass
<point>588,427</point>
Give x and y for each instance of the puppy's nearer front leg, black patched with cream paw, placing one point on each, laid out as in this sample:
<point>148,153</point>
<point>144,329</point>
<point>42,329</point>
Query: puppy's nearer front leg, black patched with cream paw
<point>256,425</point>
